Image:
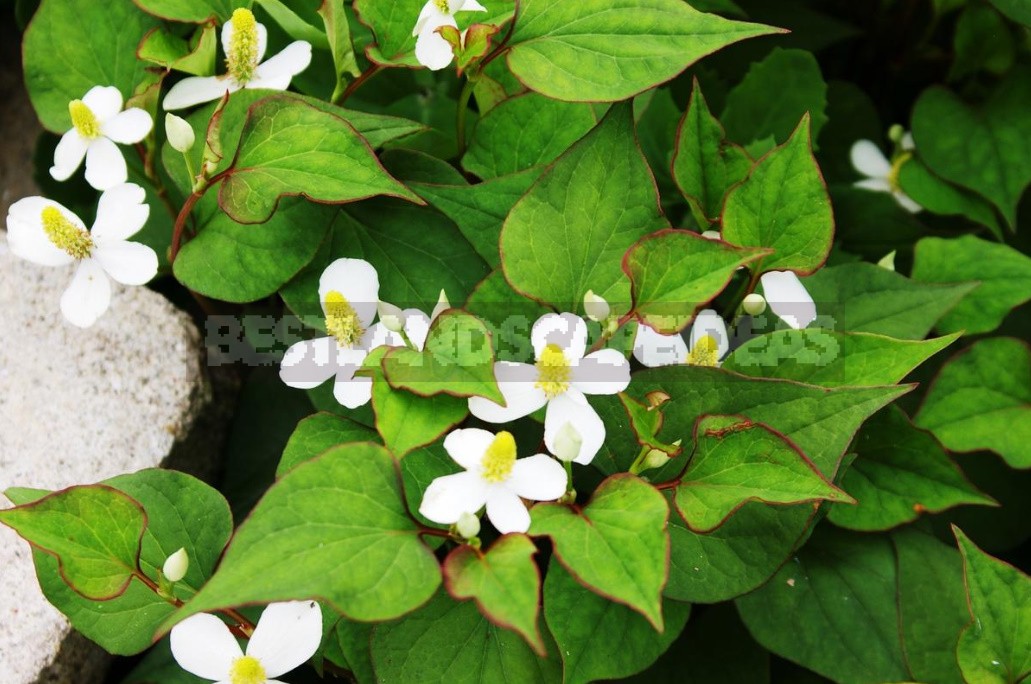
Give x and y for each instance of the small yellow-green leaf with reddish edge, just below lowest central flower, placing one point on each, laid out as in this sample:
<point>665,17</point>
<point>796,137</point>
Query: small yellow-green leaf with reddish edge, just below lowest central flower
<point>506,583</point>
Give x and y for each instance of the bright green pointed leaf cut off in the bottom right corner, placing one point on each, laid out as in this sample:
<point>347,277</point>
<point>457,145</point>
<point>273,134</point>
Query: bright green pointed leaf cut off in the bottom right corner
<point>996,647</point>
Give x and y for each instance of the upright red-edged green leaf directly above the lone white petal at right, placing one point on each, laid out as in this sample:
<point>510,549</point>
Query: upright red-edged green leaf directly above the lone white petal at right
<point>784,206</point>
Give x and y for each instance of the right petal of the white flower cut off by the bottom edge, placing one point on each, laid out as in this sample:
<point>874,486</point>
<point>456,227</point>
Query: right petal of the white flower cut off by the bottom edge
<point>287,636</point>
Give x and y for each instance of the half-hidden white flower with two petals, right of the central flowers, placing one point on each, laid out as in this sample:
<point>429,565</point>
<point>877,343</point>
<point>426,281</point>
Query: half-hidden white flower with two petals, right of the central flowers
<point>710,343</point>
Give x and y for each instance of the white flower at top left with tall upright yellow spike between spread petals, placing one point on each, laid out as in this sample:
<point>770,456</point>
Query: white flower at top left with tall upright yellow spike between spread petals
<point>244,41</point>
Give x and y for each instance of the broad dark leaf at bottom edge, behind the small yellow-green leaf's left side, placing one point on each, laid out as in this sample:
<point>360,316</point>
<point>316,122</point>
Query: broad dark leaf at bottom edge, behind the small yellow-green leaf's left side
<point>451,642</point>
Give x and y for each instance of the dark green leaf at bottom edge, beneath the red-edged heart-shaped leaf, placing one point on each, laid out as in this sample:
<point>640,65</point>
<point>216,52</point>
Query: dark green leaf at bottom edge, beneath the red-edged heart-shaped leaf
<point>600,639</point>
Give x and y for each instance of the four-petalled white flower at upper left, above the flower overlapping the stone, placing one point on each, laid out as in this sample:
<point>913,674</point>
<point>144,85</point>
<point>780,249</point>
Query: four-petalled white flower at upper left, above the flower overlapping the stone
<point>97,123</point>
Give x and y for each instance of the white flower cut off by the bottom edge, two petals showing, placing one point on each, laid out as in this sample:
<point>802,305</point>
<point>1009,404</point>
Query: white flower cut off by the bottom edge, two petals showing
<point>287,636</point>
